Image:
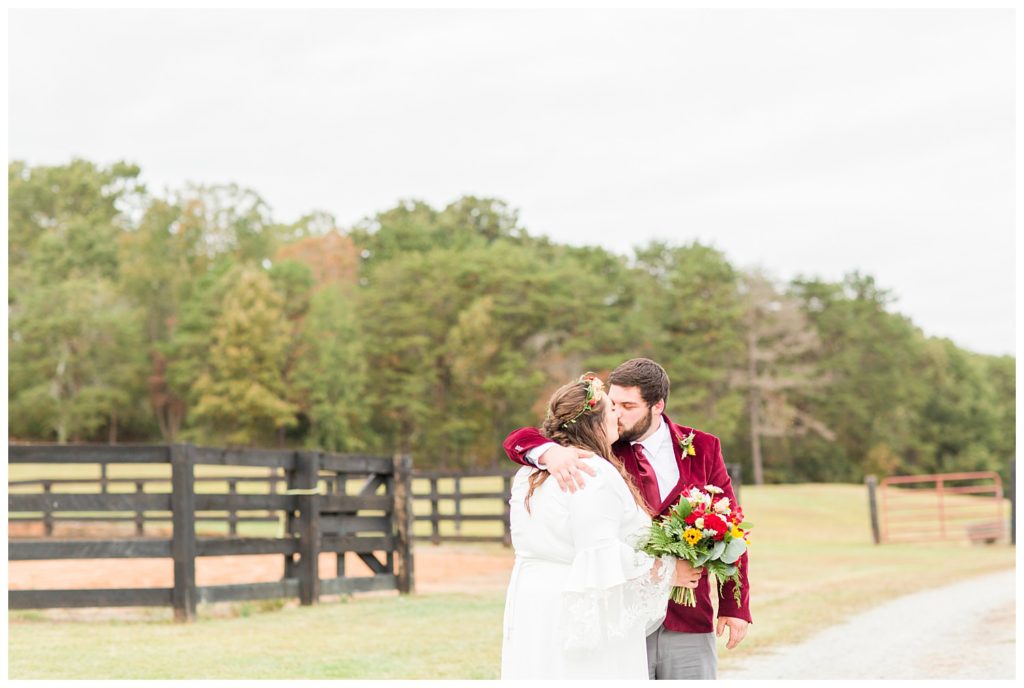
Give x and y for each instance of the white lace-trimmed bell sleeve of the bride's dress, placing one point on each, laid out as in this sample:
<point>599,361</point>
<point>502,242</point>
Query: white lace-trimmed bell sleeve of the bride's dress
<point>613,589</point>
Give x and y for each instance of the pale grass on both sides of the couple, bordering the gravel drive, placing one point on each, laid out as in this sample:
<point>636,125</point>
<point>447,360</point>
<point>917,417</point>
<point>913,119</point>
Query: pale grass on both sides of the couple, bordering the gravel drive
<point>813,566</point>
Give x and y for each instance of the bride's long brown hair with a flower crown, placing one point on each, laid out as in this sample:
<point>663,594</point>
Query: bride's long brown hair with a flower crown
<point>576,418</point>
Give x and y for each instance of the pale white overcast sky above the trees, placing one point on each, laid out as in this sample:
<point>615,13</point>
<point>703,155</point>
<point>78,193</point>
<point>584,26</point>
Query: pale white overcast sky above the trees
<point>805,143</point>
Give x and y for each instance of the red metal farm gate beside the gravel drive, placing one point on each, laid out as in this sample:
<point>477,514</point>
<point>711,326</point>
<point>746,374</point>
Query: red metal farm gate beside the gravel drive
<point>948,506</point>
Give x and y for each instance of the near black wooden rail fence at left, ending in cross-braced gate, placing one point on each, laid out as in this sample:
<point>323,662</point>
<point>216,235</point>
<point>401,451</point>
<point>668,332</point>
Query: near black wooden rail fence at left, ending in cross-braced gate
<point>321,515</point>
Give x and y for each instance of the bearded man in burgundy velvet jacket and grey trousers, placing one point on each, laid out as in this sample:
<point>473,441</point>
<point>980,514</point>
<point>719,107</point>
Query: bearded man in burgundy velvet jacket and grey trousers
<point>650,446</point>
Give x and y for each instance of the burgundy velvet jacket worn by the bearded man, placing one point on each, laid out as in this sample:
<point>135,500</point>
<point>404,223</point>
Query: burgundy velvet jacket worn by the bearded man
<point>707,468</point>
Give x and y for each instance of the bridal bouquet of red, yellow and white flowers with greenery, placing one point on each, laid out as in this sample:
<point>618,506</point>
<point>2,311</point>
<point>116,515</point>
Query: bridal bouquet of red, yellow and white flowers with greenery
<point>706,531</point>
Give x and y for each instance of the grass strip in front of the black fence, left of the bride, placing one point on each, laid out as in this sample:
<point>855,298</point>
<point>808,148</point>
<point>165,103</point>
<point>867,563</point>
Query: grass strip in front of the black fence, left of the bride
<point>442,636</point>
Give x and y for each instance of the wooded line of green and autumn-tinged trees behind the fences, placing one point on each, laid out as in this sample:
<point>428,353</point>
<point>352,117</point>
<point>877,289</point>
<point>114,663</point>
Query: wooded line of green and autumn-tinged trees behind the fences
<point>194,316</point>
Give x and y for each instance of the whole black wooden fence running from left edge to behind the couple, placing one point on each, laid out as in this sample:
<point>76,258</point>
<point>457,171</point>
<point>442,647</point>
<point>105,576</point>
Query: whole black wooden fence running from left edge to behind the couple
<point>308,491</point>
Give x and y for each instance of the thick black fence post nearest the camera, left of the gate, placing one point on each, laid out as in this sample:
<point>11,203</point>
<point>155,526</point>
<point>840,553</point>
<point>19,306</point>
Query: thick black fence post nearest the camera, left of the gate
<point>184,539</point>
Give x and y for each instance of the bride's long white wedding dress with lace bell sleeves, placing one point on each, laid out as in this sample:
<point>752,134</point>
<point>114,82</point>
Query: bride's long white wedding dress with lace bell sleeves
<point>581,600</point>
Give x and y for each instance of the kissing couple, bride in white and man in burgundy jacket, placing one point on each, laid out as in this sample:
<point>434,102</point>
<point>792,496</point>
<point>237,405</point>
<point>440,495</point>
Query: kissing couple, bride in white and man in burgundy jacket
<point>583,601</point>
